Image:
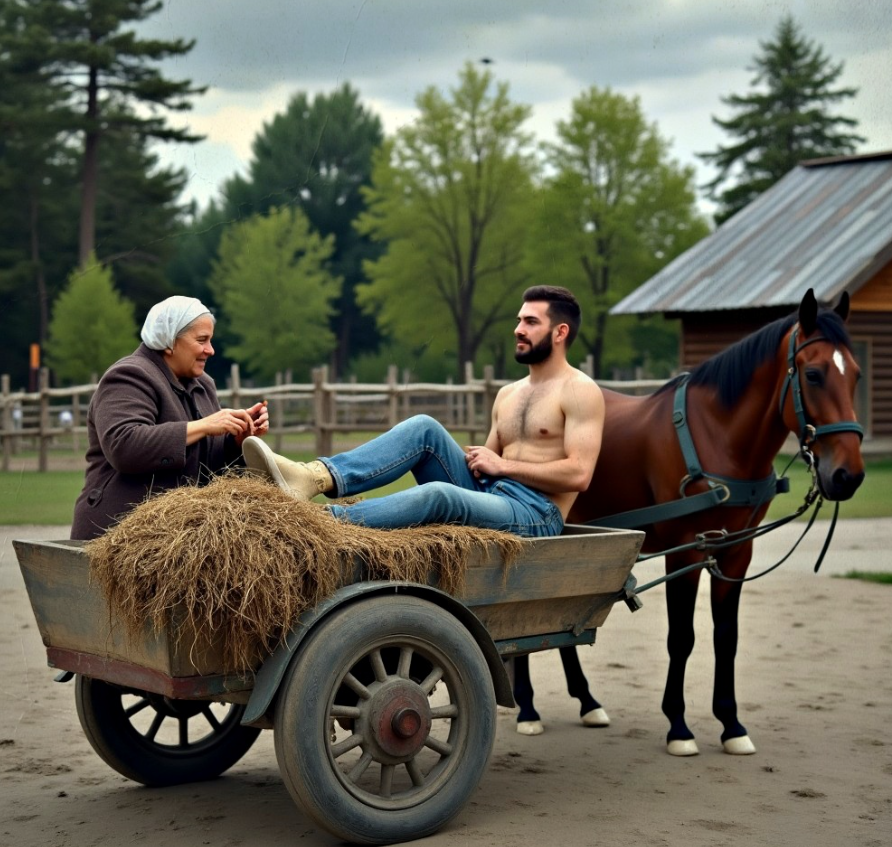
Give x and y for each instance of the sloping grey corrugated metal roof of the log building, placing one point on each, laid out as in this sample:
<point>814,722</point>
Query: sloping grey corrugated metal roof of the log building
<point>826,225</point>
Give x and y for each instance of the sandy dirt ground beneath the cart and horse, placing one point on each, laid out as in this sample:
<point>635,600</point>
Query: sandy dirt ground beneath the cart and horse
<point>814,688</point>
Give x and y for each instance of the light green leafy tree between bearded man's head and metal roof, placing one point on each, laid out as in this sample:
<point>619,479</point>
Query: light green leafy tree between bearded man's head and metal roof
<point>615,211</point>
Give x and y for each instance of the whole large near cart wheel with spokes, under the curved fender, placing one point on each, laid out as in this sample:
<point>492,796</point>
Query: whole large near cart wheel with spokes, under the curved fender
<point>386,720</point>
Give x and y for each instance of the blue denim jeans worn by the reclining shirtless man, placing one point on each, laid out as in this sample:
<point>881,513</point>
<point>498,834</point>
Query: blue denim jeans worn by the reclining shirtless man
<point>447,492</point>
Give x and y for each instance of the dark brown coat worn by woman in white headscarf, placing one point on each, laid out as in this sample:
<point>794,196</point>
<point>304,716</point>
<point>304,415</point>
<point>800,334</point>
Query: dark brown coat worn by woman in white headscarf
<point>136,426</point>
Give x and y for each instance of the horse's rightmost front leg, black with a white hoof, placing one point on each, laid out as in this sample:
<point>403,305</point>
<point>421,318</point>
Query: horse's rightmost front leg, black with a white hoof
<point>725,605</point>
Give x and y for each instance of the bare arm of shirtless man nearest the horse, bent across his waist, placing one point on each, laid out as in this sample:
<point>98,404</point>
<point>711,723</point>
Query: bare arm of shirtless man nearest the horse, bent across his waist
<point>583,407</point>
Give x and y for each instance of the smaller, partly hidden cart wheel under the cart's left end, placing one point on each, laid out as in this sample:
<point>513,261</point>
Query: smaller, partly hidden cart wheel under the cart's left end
<point>155,740</point>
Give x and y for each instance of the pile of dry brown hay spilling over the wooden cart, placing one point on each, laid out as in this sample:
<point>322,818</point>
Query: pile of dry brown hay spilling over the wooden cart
<point>241,559</point>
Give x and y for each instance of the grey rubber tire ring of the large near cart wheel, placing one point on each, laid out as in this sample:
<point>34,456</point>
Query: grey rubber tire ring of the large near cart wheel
<point>302,720</point>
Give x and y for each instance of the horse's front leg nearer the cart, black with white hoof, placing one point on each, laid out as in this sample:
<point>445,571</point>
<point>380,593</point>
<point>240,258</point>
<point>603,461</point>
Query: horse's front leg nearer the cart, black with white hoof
<point>681,595</point>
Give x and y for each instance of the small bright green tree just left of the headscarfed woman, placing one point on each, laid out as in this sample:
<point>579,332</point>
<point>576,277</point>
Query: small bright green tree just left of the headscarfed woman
<point>92,326</point>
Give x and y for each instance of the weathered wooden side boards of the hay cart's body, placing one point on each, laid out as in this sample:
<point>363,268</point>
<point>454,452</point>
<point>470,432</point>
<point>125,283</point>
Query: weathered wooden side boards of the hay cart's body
<point>556,585</point>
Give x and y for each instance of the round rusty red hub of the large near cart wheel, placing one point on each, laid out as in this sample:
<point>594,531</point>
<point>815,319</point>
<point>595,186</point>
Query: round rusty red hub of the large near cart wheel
<point>397,721</point>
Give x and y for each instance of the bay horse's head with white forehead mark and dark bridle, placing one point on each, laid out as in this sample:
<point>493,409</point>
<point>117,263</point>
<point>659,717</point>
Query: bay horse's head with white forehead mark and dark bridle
<point>817,397</point>
